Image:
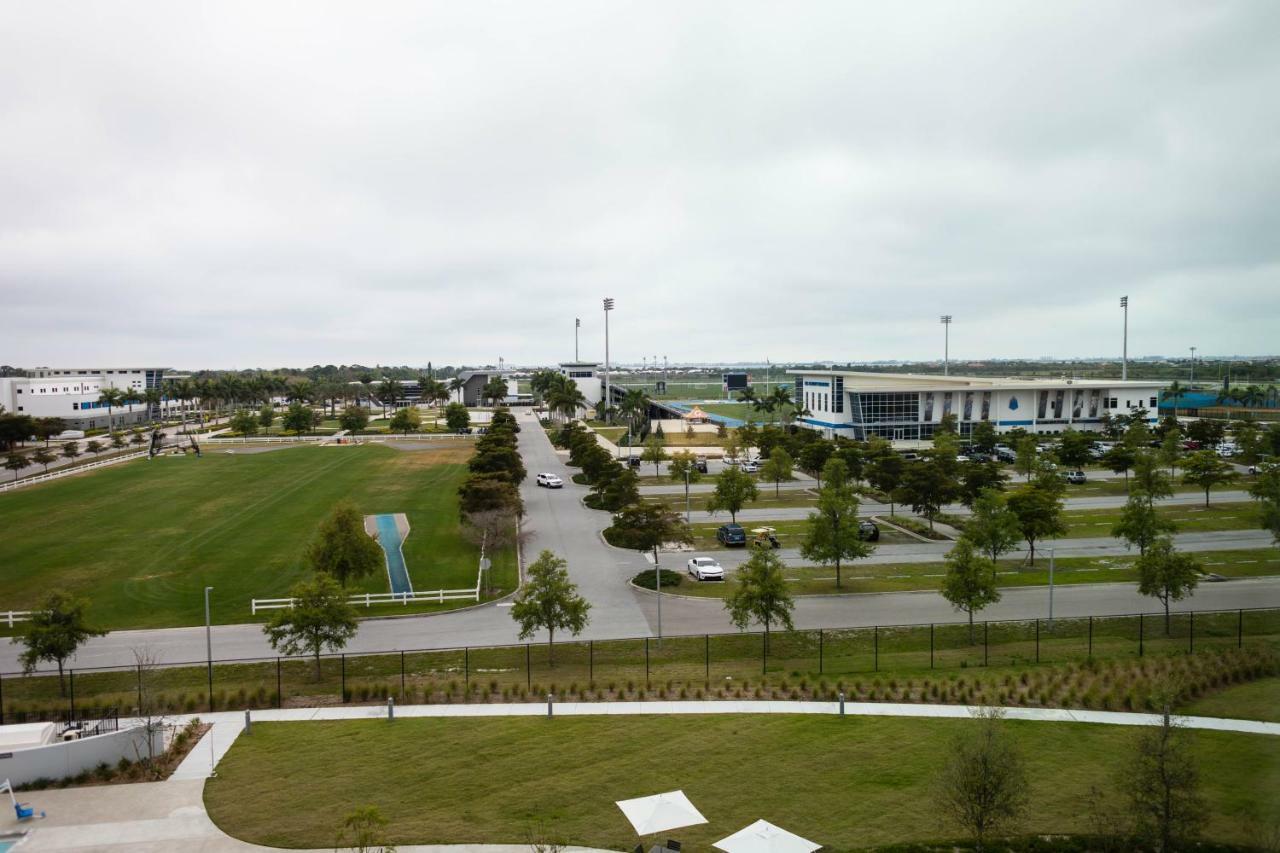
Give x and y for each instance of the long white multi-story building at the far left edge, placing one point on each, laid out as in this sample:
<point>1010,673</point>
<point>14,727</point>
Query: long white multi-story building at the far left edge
<point>74,395</point>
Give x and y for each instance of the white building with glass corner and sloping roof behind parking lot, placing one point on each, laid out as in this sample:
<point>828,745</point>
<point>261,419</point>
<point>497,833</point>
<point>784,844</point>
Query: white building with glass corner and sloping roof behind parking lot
<point>909,407</point>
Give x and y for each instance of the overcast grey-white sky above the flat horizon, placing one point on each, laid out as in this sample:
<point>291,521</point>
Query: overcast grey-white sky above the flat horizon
<point>268,184</point>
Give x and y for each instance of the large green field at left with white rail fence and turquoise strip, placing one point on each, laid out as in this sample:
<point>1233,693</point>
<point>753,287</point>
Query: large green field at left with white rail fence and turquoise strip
<point>141,541</point>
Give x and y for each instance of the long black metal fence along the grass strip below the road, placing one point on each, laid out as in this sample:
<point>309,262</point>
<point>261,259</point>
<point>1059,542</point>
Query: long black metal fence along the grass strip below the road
<point>620,667</point>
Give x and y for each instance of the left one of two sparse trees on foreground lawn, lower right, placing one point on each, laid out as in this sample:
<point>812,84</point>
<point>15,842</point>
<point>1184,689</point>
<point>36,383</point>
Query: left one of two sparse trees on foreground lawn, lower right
<point>982,786</point>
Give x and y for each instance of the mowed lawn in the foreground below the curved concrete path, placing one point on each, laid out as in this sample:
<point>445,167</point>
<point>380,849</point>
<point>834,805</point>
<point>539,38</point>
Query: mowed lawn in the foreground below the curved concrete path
<point>845,783</point>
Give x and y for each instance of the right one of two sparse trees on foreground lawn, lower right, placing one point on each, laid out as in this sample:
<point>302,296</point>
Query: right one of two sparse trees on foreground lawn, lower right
<point>1164,786</point>
